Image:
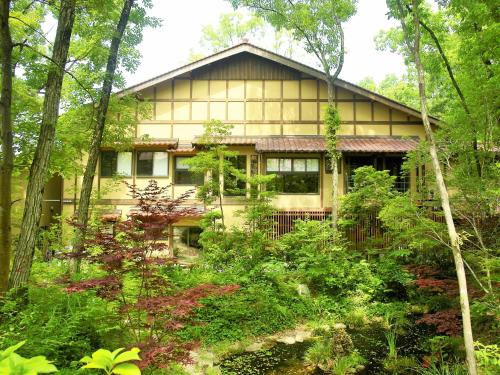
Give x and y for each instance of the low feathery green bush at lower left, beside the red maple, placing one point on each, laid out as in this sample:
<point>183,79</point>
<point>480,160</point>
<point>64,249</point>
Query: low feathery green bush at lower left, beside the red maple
<point>59,326</point>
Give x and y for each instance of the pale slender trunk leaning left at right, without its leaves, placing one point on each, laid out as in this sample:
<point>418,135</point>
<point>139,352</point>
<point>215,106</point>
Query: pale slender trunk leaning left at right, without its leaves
<point>445,203</point>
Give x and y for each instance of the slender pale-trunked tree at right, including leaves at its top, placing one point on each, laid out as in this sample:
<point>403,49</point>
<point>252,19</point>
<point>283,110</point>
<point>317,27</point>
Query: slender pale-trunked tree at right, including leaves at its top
<point>411,28</point>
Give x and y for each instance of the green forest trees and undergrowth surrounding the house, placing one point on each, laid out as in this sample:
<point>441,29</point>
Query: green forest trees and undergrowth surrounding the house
<point>82,296</point>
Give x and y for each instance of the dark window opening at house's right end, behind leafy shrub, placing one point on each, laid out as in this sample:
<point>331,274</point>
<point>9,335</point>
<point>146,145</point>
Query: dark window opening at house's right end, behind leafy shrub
<point>393,164</point>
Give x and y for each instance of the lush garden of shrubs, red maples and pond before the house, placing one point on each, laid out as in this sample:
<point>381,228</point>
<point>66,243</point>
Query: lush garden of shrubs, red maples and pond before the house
<point>306,303</point>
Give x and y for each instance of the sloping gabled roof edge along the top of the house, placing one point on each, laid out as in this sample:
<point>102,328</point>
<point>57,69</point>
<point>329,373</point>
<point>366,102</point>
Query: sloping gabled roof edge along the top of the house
<point>279,59</point>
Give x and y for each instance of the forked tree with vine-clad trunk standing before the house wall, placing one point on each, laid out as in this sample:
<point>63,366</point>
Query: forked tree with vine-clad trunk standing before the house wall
<point>317,23</point>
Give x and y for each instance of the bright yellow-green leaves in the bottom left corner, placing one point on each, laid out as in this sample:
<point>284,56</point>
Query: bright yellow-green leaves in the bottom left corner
<point>12,363</point>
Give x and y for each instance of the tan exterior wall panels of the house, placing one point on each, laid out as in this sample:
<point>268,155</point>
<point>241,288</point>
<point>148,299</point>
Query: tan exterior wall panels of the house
<point>255,108</point>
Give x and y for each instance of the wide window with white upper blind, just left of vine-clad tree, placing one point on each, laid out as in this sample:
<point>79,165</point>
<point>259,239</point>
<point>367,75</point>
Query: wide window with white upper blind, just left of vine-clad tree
<point>294,175</point>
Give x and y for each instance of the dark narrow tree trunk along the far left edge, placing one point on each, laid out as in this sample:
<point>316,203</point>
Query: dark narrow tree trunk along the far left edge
<point>7,155</point>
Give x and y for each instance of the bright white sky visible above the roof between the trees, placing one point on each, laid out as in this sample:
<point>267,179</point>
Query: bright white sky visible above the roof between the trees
<point>168,47</point>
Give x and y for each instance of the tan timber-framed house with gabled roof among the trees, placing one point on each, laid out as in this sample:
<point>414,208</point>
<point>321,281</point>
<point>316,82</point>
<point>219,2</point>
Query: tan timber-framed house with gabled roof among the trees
<point>276,106</point>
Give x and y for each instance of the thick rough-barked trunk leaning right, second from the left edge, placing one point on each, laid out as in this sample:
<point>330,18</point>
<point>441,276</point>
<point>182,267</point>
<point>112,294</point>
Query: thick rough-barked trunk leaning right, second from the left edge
<point>39,167</point>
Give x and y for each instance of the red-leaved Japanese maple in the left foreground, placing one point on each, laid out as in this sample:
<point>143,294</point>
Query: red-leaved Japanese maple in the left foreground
<point>151,310</point>
